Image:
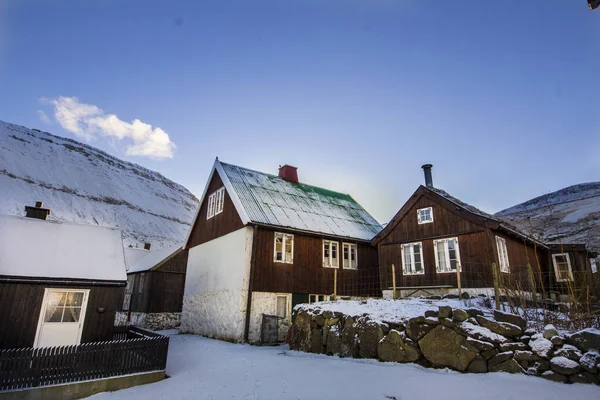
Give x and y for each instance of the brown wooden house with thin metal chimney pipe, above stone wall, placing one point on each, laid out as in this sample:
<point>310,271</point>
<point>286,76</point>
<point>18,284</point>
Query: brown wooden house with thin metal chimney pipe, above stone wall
<point>434,234</point>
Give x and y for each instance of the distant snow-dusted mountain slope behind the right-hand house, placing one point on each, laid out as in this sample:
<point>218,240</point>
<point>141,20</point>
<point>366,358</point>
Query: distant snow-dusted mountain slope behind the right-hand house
<point>569,215</point>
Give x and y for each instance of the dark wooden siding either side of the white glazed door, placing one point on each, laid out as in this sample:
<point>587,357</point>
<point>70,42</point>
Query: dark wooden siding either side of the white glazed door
<point>20,305</point>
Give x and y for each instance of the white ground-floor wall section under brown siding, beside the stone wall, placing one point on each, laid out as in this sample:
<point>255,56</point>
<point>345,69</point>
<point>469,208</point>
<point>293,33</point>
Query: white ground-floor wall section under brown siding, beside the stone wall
<point>266,303</point>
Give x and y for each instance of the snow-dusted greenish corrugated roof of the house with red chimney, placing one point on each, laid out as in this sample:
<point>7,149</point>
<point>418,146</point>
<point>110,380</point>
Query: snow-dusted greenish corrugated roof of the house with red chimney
<point>270,200</point>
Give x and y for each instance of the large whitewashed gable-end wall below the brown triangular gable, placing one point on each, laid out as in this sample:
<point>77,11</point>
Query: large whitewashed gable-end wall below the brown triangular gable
<point>216,287</point>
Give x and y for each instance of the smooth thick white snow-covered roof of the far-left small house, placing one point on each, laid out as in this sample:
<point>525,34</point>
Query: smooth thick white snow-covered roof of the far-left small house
<point>35,248</point>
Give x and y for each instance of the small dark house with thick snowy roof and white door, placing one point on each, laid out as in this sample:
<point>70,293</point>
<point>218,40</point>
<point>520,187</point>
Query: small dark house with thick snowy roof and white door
<point>60,284</point>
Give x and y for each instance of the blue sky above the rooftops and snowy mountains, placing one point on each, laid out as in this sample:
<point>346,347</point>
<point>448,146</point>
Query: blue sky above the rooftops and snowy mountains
<point>502,97</point>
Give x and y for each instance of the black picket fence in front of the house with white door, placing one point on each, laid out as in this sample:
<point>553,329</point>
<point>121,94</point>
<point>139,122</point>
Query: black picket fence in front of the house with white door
<point>135,350</point>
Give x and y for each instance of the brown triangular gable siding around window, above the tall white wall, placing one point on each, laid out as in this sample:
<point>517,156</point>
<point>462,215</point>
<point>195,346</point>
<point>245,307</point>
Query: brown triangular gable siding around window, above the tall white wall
<point>221,224</point>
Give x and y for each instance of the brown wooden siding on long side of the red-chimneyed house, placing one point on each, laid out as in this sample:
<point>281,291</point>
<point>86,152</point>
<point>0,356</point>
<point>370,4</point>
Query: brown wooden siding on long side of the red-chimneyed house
<point>307,274</point>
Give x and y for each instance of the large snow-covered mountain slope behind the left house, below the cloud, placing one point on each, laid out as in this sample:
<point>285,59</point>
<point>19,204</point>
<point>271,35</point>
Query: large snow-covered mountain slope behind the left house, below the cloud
<point>81,184</point>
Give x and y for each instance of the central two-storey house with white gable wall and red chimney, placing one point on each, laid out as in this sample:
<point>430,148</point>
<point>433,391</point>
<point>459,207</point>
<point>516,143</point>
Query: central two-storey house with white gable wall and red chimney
<point>260,244</point>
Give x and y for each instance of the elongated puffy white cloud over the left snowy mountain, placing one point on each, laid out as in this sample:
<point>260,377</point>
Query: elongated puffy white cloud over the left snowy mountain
<point>88,121</point>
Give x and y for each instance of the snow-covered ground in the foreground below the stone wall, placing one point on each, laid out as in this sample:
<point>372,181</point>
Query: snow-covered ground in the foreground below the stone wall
<point>201,368</point>
